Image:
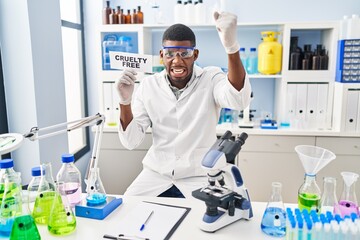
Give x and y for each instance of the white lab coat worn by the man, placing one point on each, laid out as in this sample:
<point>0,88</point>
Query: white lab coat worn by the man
<point>183,130</point>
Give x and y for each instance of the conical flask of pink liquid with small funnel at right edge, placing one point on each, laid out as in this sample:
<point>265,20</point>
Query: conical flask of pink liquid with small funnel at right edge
<point>348,202</point>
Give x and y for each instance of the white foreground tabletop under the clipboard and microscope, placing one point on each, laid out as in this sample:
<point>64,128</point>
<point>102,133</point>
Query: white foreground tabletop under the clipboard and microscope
<point>92,229</point>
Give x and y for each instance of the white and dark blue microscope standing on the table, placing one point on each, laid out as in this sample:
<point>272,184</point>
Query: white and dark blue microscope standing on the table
<point>226,198</point>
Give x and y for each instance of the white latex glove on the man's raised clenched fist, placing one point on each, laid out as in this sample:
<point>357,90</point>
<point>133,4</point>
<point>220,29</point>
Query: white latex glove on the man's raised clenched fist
<point>226,25</point>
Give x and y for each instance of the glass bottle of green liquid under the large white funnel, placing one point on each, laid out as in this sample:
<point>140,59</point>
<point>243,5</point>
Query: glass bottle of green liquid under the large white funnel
<point>309,194</point>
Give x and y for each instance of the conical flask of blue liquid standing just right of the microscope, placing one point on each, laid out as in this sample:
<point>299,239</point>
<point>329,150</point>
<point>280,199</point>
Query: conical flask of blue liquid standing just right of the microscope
<point>274,219</point>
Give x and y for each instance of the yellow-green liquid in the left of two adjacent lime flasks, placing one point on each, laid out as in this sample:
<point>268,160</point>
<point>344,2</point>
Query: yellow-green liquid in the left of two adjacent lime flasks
<point>42,207</point>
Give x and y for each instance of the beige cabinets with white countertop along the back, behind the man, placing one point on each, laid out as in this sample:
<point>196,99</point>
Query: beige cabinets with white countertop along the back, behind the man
<point>266,156</point>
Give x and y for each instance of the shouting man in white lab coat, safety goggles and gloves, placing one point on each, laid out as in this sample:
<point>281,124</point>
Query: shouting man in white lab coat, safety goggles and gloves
<point>182,105</point>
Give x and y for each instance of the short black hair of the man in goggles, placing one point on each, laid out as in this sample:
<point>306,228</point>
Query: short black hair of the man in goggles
<point>179,32</point>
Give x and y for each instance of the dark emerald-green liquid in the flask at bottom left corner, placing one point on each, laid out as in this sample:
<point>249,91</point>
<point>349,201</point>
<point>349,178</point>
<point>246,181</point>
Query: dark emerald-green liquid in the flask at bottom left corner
<point>24,228</point>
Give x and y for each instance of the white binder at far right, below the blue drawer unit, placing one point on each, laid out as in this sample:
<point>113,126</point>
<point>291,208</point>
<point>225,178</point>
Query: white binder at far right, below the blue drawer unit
<point>351,110</point>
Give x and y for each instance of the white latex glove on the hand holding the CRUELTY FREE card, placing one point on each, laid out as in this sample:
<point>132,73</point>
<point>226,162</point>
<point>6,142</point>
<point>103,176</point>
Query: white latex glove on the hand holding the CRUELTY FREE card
<point>125,86</point>
